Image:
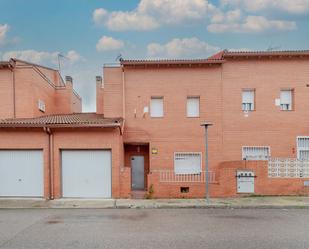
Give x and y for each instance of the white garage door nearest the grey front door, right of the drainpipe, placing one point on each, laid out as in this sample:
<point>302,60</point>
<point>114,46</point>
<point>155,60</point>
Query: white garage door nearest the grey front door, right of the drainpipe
<point>86,173</point>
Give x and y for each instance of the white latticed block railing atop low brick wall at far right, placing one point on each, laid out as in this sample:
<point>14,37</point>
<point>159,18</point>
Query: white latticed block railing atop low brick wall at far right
<point>288,168</point>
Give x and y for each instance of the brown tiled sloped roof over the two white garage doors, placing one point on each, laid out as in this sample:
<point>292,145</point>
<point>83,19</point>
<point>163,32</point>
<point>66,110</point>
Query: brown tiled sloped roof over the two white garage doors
<point>64,120</point>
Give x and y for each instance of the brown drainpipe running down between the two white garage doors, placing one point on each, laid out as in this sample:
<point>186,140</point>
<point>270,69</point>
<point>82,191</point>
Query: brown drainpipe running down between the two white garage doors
<point>50,160</point>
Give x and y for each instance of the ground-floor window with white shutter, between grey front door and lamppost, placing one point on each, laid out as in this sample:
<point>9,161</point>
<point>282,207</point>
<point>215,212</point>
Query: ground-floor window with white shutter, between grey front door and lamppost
<point>187,163</point>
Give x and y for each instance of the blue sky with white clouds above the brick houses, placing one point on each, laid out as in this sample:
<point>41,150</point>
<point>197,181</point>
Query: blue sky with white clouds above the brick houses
<point>93,32</point>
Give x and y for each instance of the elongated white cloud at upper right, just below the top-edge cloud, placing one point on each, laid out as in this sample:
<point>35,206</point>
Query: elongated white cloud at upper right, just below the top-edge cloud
<point>250,24</point>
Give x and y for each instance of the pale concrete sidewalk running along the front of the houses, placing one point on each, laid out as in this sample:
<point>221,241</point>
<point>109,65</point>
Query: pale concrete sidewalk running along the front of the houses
<point>244,202</point>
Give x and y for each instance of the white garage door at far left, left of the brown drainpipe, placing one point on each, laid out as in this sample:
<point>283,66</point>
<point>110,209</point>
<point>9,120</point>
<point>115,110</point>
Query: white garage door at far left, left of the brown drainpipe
<point>21,173</point>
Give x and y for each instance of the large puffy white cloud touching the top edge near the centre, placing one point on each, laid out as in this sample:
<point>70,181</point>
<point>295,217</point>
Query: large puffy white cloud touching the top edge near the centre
<point>151,14</point>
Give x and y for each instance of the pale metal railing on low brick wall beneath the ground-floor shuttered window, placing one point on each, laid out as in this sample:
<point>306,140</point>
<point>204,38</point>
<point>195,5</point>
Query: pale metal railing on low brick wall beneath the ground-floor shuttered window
<point>169,176</point>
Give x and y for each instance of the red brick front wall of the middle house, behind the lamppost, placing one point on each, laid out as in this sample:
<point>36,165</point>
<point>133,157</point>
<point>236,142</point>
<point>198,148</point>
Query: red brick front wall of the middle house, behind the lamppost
<point>174,132</point>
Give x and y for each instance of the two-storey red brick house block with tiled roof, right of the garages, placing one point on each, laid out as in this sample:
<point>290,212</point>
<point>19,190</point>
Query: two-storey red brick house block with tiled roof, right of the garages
<point>220,85</point>
